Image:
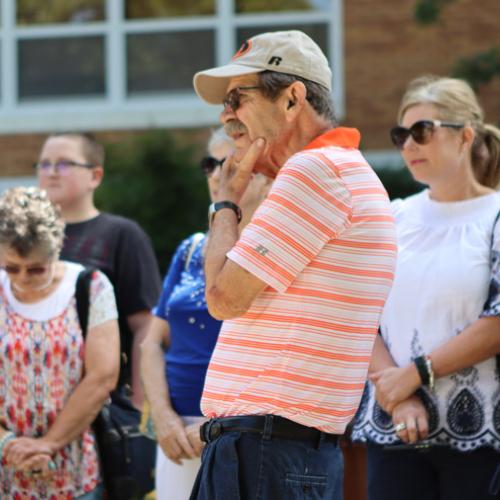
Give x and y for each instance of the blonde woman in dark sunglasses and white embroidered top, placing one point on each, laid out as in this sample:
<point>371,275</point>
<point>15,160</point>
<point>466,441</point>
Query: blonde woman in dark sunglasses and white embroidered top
<point>430,411</point>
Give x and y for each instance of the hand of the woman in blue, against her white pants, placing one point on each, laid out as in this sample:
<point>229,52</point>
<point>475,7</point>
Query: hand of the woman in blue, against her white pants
<point>173,439</point>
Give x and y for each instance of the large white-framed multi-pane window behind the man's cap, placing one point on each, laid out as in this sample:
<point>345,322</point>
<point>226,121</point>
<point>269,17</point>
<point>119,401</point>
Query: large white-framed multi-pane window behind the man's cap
<point>110,64</point>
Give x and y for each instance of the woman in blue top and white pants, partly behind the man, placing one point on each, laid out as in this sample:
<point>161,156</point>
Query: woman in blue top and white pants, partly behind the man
<point>180,341</point>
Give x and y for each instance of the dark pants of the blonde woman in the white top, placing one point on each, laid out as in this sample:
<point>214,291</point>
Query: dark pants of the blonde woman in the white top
<point>435,474</point>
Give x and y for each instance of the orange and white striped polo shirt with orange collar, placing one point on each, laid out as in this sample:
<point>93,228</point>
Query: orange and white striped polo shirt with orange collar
<point>324,242</point>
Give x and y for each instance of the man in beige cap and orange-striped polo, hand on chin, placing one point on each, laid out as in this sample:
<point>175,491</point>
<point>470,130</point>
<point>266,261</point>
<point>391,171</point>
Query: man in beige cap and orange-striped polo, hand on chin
<point>301,291</point>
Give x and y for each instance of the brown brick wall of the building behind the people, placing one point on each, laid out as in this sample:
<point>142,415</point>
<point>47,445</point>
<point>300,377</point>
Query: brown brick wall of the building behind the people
<point>384,49</point>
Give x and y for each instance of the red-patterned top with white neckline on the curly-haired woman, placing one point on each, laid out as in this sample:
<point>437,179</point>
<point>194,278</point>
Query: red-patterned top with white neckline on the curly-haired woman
<point>41,363</point>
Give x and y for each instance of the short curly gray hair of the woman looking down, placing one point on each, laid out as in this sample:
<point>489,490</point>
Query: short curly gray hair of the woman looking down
<point>30,222</point>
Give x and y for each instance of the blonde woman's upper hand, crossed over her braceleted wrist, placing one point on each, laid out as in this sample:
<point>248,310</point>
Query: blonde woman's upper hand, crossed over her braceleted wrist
<point>394,385</point>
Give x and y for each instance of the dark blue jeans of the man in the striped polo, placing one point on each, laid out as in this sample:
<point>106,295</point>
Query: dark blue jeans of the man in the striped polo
<point>249,466</point>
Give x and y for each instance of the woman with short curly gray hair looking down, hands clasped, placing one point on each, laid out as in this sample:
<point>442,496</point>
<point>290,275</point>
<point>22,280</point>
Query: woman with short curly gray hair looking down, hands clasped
<point>51,385</point>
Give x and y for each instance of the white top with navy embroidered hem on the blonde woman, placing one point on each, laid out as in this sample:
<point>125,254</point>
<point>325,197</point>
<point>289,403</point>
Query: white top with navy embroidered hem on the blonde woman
<point>447,276</point>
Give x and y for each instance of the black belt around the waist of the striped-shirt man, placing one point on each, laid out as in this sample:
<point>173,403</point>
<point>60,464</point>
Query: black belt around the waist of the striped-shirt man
<point>278,427</point>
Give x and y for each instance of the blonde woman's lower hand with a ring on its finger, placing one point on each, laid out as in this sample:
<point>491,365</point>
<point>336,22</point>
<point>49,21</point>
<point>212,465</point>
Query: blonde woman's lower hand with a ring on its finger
<point>412,416</point>
